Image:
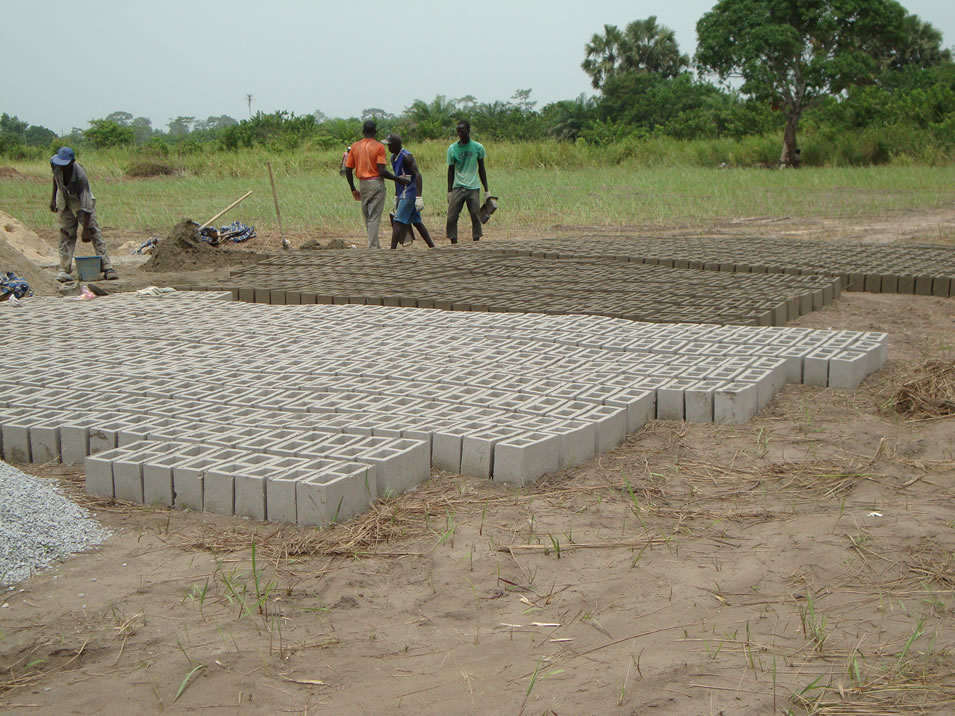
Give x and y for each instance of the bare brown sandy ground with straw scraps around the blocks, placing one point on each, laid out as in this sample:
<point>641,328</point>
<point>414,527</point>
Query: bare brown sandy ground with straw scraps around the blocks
<point>802,562</point>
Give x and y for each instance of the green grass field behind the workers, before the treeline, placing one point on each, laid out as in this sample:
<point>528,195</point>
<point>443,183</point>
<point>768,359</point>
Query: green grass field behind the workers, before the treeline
<point>537,191</point>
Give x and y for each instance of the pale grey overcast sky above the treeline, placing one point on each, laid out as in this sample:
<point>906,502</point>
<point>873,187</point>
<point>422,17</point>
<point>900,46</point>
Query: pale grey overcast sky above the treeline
<point>65,63</point>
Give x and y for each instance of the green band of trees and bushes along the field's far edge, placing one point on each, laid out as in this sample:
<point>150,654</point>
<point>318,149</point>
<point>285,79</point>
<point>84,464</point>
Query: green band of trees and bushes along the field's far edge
<point>864,82</point>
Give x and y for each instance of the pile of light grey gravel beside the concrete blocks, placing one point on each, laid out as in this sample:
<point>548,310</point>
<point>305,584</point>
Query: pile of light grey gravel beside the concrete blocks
<point>39,526</point>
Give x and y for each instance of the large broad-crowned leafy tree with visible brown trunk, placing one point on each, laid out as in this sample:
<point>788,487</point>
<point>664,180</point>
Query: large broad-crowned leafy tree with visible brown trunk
<point>793,52</point>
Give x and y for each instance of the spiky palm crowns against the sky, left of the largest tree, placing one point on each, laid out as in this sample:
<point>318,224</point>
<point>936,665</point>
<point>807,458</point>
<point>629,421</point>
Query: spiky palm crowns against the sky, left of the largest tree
<point>644,46</point>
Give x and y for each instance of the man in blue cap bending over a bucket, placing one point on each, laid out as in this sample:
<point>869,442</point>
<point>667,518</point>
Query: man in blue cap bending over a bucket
<point>76,205</point>
